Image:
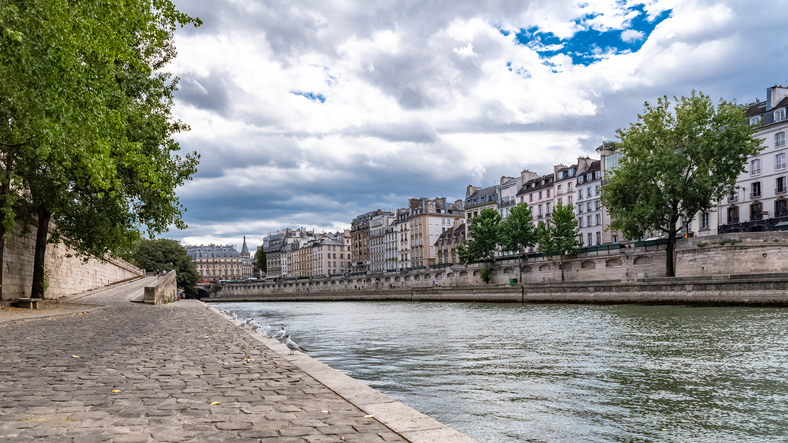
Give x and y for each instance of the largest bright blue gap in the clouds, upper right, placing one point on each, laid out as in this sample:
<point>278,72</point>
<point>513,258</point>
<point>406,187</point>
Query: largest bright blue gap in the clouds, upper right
<point>590,45</point>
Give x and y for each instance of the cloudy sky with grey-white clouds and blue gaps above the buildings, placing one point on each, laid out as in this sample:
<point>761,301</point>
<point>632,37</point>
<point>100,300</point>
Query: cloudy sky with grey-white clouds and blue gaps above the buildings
<point>310,112</point>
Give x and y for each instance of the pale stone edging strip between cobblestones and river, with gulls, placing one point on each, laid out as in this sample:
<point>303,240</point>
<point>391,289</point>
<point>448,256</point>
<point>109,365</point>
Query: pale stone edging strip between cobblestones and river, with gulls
<point>401,419</point>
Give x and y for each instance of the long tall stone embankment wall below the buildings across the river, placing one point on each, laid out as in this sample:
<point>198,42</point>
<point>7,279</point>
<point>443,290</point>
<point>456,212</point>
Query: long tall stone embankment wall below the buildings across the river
<point>728,254</point>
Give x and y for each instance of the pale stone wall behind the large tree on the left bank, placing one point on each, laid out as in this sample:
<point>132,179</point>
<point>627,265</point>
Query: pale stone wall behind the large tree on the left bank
<point>68,274</point>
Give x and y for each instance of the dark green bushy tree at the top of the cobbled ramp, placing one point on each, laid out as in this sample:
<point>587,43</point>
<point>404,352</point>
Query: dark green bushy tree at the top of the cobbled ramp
<point>165,255</point>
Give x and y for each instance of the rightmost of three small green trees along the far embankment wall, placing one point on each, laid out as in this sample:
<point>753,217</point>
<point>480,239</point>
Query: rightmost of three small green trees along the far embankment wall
<point>560,236</point>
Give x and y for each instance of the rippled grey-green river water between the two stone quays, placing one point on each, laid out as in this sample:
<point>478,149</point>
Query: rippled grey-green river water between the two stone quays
<point>560,373</point>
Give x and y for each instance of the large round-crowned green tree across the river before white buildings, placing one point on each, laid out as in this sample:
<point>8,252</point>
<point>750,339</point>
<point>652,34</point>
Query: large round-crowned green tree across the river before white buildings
<point>675,161</point>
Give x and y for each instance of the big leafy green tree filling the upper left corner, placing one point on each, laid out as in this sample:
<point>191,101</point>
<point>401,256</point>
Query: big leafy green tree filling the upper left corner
<point>87,125</point>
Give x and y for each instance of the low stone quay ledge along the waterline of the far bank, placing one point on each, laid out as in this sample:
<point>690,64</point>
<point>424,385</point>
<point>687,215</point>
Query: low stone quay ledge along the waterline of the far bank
<point>723,290</point>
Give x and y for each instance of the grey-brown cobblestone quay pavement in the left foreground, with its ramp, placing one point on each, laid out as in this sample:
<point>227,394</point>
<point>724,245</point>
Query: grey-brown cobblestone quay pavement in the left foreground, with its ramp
<point>135,373</point>
